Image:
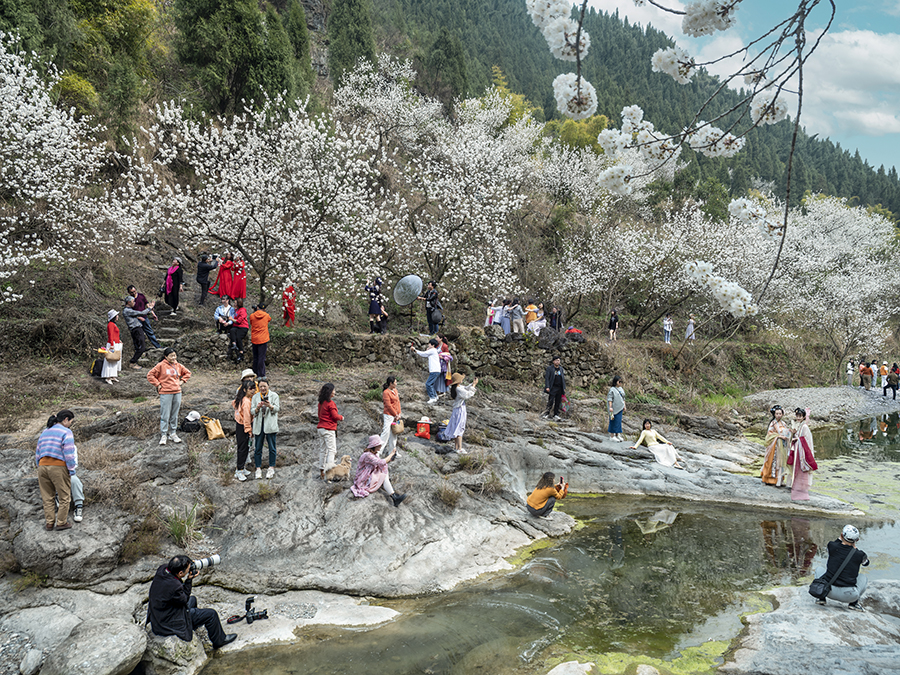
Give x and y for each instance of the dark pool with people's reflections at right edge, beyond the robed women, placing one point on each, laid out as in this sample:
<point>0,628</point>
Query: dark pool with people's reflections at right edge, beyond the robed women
<point>877,438</point>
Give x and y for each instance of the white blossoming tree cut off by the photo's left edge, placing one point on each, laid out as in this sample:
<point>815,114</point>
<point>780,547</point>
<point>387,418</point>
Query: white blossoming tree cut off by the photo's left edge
<point>48,159</point>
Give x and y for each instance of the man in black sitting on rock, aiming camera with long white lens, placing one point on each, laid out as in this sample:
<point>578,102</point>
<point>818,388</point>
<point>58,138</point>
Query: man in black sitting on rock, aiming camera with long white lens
<point>173,611</point>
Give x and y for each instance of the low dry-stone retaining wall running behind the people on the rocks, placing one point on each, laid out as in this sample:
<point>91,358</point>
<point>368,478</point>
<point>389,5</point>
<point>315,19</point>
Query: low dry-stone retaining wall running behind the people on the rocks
<point>483,352</point>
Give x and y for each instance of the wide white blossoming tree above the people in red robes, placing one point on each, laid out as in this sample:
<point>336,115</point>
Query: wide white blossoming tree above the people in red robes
<point>297,197</point>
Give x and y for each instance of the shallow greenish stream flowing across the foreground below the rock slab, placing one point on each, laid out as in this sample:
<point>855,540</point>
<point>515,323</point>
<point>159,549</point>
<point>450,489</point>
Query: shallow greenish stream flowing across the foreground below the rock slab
<point>646,580</point>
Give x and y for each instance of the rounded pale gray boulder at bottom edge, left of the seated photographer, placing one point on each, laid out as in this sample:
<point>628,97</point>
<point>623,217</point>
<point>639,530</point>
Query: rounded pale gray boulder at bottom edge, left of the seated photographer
<point>98,647</point>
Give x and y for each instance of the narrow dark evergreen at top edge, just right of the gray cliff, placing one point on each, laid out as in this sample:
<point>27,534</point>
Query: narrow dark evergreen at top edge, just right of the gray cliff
<point>349,37</point>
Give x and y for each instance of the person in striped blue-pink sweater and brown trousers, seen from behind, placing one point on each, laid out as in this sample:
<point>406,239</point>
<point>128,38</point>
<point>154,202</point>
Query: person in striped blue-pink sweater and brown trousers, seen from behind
<point>56,461</point>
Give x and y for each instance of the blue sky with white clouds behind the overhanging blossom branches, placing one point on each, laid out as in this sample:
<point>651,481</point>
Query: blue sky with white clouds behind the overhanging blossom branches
<point>851,83</point>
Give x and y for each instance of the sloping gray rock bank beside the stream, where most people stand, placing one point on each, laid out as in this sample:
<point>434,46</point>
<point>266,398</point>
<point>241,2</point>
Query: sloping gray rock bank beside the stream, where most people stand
<point>294,534</point>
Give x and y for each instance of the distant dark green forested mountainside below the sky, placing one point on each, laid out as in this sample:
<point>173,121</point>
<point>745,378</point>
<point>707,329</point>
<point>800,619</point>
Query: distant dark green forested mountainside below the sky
<point>500,33</point>
